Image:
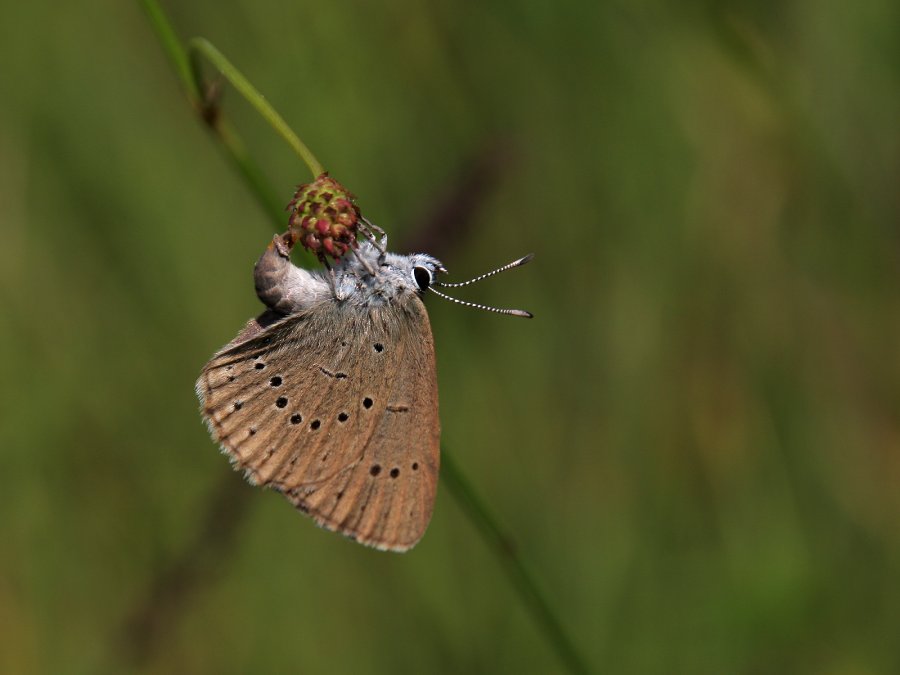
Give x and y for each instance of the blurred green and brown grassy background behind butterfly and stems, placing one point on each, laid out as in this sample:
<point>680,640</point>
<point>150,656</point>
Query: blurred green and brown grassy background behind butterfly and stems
<point>695,446</point>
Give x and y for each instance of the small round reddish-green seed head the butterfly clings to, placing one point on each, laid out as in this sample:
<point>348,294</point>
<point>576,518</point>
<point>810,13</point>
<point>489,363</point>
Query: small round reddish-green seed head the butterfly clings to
<point>324,217</point>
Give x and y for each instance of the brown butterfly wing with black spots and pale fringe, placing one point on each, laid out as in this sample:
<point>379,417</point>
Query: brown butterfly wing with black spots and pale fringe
<point>336,408</point>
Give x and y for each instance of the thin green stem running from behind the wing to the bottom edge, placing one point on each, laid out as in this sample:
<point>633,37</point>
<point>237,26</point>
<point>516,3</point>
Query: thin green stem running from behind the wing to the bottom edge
<point>504,549</point>
